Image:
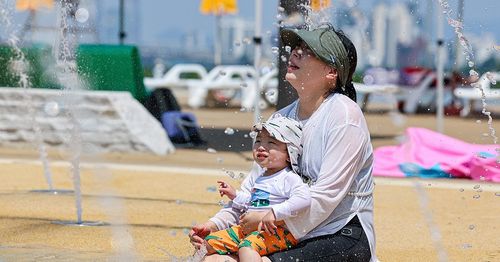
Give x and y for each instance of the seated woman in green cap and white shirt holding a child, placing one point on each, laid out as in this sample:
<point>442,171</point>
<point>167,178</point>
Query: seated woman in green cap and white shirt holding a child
<point>337,156</point>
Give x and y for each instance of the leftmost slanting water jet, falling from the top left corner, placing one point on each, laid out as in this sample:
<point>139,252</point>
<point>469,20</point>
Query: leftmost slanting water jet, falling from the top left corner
<point>20,69</point>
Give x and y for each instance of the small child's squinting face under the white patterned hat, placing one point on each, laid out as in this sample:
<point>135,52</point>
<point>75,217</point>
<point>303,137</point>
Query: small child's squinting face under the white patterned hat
<point>270,153</point>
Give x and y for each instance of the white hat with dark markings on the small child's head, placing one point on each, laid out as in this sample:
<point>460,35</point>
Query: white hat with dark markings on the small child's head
<point>288,131</point>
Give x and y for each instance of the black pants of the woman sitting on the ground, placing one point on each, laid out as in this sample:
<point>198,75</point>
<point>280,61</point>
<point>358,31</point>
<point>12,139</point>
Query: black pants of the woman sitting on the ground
<point>348,244</point>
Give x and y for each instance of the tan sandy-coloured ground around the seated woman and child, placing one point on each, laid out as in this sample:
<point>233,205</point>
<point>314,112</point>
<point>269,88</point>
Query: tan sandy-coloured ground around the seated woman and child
<point>148,203</point>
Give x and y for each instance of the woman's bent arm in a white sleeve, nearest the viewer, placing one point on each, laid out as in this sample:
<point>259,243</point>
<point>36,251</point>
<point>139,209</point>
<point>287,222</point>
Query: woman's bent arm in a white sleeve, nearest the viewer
<point>343,158</point>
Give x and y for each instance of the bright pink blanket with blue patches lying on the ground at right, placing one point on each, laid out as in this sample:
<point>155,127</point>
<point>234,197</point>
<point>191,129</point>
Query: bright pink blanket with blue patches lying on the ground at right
<point>430,154</point>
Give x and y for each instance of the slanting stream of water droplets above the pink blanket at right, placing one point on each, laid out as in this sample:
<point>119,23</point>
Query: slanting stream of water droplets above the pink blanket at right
<point>469,56</point>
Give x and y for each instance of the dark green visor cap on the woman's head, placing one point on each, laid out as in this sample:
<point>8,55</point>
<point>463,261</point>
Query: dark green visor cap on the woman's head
<point>325,44</point>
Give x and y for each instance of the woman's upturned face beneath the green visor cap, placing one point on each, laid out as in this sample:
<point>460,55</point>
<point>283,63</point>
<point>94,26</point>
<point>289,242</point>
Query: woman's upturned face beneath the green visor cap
<point>305,70</point>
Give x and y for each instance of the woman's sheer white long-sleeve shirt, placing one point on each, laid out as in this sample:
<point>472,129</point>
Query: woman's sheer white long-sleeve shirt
<point>338,157</point>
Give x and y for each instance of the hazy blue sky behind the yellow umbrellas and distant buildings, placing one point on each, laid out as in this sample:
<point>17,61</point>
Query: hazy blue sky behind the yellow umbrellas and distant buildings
<point>161,19</point>
